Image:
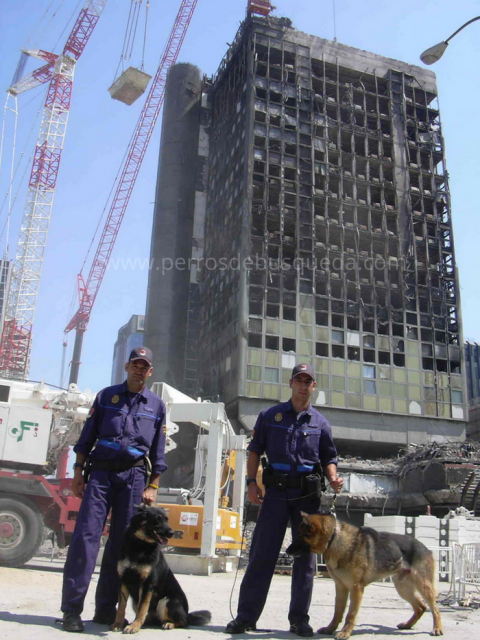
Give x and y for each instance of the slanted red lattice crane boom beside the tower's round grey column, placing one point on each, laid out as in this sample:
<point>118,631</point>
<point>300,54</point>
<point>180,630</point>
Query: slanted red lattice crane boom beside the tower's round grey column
<point>87,291</point>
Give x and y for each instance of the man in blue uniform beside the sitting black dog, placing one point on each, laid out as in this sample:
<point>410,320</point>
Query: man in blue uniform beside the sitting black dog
<point>124,439</point>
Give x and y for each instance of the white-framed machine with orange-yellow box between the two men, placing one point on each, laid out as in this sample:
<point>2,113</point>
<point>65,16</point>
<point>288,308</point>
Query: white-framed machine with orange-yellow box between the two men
<point>202,528</point>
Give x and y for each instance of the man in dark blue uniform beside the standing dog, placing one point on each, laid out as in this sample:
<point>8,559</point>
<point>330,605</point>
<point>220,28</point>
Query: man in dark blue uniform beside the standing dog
<point>296,439</point>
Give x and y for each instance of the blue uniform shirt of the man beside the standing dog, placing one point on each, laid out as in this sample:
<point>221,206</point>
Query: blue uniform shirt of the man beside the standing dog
<point>293,441</point>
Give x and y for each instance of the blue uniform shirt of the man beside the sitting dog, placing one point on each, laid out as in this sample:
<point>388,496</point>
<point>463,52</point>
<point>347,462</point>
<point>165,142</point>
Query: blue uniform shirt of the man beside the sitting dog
<point>122,425</point>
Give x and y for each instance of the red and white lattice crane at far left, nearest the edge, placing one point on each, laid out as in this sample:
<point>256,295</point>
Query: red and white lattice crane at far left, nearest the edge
<point>25,279</point>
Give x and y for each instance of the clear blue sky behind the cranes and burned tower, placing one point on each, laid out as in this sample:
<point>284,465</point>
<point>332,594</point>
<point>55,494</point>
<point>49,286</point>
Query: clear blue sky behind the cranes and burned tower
<point>99,130</point>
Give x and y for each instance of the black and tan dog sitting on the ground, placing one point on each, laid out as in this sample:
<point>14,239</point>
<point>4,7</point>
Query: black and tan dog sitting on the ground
<point>157,597</point>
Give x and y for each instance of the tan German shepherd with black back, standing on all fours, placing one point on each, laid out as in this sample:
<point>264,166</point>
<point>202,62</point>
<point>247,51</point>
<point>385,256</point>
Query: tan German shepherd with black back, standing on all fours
<point>355,557</point>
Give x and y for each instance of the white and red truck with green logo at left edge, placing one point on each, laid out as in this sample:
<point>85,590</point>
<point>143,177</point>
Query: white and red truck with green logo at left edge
<point>37,425</point>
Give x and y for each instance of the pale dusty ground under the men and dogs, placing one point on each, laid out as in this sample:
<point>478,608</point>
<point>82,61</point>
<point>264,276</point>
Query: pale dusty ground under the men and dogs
<point>30,599</point>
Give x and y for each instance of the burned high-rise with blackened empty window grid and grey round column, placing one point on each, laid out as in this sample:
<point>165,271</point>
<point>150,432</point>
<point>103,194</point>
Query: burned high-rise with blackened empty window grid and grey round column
<point>303,214</point>
